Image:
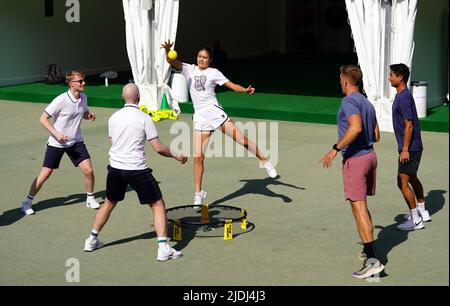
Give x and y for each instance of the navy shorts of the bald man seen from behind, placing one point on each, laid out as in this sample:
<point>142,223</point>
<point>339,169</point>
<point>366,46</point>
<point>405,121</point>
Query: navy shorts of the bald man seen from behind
<point>142,181</point>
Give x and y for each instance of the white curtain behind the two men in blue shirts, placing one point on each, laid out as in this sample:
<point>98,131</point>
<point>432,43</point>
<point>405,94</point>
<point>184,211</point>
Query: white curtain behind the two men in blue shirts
<point>383,35</point>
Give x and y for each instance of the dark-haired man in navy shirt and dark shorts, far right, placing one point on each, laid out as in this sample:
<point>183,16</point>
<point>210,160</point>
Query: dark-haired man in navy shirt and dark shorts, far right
<point>409,141</point>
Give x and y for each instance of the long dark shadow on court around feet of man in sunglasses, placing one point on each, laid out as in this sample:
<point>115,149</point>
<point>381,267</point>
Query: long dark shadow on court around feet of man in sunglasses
<point>13,215</point>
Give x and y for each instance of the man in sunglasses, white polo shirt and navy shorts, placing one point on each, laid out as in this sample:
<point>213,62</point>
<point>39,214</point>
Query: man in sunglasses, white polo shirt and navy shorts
<point>67,110</point>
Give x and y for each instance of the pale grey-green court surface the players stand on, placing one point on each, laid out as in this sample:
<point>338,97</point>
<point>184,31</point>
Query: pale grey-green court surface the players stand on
<point>304,232</point>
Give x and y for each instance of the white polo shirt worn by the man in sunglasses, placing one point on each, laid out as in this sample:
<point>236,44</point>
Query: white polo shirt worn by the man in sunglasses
<point>67,113</point>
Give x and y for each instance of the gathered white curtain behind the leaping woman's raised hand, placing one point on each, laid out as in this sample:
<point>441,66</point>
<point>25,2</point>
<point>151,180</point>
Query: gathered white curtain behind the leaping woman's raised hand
<point>148,24</point>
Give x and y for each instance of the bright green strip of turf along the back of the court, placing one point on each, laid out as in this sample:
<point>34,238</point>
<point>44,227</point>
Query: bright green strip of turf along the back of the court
<point>272,106</point>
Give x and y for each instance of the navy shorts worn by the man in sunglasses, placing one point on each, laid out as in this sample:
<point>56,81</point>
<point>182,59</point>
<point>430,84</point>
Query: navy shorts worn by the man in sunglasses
<point>77,153</point>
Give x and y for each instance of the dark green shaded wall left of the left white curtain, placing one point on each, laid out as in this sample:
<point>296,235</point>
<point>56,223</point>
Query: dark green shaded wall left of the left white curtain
<point>30,41</point>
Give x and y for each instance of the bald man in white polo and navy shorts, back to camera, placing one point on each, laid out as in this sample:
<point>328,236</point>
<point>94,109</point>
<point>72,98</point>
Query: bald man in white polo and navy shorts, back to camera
<point>129,130</point>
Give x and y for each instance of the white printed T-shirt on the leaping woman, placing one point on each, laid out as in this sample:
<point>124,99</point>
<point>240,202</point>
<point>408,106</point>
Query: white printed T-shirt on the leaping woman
<point>202,84</point>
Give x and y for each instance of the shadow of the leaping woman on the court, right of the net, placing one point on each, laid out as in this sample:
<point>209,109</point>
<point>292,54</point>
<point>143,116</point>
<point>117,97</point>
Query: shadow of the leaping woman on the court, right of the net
<point>259,186</point>
